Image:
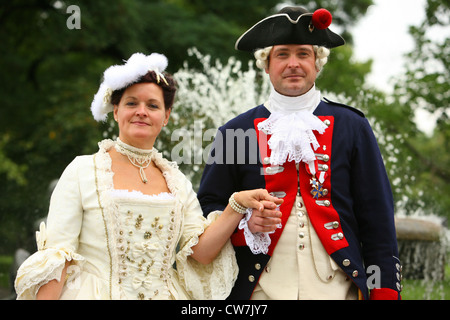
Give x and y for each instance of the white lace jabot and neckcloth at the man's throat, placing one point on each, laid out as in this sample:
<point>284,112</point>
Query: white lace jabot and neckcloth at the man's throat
<point>291,124</point>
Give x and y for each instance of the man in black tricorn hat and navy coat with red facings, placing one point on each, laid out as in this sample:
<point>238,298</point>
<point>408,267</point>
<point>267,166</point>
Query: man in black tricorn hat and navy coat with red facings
<point>336,237</point>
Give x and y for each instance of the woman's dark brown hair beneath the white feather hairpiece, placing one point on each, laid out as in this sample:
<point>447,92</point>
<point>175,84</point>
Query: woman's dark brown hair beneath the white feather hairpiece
<point>151,77</point>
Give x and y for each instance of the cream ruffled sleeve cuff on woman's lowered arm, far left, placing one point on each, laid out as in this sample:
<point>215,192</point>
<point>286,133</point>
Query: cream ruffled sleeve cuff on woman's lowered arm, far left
<point>43,266</point>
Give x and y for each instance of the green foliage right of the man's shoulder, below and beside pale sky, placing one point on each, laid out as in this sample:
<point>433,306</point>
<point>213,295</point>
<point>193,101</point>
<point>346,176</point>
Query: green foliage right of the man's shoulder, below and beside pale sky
<point>417,164</point>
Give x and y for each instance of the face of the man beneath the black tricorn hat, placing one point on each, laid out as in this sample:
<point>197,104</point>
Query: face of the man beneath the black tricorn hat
<point>292,69</point>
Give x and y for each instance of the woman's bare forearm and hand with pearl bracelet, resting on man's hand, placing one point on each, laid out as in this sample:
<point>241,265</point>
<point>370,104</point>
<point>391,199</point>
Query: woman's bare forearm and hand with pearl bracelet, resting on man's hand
<point>217,234</point>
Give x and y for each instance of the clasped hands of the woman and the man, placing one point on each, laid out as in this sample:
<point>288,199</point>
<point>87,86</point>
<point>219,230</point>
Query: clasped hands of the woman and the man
<point>266,215</point>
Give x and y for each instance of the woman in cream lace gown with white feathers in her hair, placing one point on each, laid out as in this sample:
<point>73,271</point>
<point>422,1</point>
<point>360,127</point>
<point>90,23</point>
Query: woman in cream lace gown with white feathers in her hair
<point>120,219</point>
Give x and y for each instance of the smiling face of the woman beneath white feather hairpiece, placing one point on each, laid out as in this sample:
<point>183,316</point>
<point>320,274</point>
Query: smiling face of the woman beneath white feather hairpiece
<point>141,114</point>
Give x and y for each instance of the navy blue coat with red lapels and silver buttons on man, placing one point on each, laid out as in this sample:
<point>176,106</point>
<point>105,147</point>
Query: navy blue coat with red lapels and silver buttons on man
<point>358,202</point>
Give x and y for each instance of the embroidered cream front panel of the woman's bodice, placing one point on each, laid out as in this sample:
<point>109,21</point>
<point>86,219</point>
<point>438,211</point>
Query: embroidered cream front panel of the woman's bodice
<point>148,229</point>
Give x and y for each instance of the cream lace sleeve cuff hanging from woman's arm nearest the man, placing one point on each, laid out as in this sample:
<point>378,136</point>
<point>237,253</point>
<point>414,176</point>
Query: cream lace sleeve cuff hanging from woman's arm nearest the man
<point>213,281</point>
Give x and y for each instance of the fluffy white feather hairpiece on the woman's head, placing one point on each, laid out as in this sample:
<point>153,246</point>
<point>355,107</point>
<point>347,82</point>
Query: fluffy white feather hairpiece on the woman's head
<point>120,76</point>
